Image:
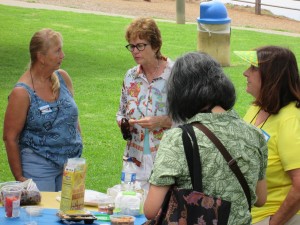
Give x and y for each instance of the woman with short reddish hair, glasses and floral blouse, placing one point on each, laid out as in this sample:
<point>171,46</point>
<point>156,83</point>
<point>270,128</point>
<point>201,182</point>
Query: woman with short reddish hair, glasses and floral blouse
<point>143,96</point>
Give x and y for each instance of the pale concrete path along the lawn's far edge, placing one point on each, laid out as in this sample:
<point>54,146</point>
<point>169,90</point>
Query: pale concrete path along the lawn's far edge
<point>61,8</point>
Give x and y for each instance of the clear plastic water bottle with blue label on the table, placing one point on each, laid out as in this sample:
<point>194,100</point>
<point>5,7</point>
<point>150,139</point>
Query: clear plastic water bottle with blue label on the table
<point>128,177</point>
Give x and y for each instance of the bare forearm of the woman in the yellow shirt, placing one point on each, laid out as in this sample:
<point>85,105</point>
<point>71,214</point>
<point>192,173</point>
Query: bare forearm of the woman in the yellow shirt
<point>291,205</point>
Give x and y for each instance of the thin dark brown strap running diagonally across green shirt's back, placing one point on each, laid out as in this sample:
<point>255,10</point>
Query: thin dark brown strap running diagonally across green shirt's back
<point>231,162</point>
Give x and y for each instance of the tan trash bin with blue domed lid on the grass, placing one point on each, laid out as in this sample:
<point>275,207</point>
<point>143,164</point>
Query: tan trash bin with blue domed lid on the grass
<point>214,31</point>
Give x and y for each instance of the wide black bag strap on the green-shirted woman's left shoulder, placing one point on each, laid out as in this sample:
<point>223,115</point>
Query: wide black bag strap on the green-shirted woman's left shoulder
<point>192,156</point>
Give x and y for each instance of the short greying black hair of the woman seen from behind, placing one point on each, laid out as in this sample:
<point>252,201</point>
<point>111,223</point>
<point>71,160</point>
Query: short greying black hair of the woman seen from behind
<point>197,84</point>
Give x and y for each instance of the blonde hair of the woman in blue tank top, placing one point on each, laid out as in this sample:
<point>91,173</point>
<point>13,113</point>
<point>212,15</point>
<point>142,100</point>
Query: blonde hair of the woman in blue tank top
<point>40,42</point>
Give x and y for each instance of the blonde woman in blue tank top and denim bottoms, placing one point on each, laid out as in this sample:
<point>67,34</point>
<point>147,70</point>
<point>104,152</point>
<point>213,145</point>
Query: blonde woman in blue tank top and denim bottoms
<point>41,128</point>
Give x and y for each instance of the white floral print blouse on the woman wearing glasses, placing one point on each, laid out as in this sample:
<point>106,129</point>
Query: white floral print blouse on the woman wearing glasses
<point>139,98</point>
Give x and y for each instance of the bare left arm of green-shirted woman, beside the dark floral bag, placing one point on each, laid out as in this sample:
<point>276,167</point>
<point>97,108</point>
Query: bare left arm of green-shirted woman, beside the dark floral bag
<point>155,198</point>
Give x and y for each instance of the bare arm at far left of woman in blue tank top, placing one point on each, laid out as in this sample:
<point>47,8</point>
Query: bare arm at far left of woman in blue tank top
<point>14,121</point>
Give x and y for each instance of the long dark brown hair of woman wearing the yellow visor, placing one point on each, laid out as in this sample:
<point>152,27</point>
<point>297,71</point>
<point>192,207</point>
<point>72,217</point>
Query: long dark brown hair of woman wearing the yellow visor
<point>280,81</point>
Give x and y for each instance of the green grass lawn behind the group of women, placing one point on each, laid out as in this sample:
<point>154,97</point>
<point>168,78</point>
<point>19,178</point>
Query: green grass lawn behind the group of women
<point>97,61</point>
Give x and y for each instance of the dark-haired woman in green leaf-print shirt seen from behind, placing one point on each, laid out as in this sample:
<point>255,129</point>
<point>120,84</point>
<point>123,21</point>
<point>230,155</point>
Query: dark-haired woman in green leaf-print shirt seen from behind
<point>198,90</point>
